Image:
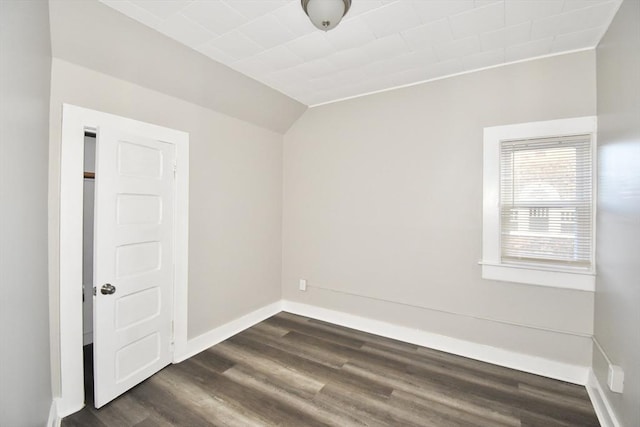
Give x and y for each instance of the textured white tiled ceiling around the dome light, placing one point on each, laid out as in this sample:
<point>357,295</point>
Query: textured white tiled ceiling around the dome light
<point>380,44</point>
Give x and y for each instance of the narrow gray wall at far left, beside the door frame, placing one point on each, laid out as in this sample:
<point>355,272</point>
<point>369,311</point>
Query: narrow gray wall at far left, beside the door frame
<point>25,65</point>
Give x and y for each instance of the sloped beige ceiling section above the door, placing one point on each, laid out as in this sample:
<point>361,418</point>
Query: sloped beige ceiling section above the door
<point>90,34</point>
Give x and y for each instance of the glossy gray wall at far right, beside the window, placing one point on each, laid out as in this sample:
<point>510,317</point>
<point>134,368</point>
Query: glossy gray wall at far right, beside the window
<point>617,302</point>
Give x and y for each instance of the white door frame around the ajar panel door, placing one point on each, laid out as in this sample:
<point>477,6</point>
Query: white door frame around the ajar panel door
<point>75,121</point>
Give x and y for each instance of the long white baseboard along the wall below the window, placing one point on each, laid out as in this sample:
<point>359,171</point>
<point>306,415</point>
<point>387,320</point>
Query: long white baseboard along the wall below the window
<point>536,365</point>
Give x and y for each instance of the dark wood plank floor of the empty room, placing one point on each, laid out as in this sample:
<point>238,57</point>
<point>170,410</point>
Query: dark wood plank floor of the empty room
<point>294,371</point>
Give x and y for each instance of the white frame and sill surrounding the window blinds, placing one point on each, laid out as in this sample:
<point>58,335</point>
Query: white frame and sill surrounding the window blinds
<point>492,266</point>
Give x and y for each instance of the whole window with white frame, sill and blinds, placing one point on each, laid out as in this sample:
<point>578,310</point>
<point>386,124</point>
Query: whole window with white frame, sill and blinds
<point>538,216</point>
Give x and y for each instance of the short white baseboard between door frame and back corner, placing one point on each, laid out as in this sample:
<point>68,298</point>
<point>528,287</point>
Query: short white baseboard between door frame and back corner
<point>221,333</point>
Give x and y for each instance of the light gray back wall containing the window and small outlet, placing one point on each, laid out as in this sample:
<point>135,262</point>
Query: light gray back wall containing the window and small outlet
<point>383,208</point>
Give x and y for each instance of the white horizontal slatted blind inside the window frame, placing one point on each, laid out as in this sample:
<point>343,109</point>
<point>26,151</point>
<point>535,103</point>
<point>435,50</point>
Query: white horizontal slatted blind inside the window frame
<point>546,193</point>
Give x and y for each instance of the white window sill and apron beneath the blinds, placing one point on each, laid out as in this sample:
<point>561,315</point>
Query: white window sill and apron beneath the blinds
<point>539,276</point>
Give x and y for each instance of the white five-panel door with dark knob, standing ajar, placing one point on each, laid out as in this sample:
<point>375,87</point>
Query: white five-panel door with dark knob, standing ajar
<point>133,260</point>
